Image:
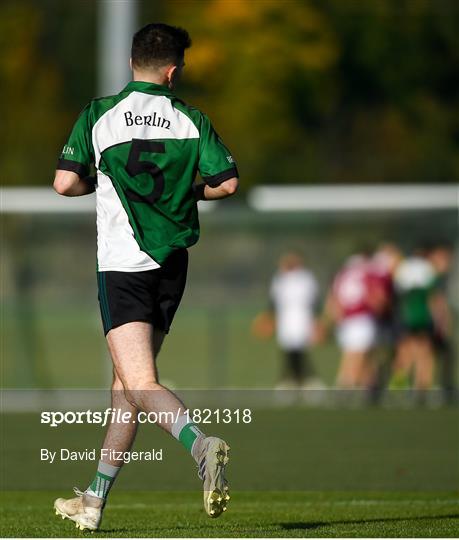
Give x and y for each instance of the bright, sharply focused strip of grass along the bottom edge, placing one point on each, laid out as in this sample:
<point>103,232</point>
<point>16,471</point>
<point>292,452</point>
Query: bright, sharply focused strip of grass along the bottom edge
<point>251,514</point>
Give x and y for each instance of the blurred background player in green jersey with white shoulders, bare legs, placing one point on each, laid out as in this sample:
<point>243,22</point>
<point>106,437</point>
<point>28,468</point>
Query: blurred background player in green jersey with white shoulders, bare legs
<point>415,285</point>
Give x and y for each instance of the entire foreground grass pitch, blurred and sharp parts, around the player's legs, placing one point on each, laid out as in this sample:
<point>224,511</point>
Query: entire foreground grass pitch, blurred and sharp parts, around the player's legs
<point>294,473</point>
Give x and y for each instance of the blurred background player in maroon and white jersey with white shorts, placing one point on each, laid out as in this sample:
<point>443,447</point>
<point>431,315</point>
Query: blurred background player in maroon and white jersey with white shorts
<point>351,305</point>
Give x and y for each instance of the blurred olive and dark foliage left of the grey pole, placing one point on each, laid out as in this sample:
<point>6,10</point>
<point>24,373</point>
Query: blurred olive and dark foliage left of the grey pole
<point>43,50</point>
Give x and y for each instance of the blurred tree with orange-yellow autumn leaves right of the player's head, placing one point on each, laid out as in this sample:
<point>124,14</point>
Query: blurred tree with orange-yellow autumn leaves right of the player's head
<point>244,68</point>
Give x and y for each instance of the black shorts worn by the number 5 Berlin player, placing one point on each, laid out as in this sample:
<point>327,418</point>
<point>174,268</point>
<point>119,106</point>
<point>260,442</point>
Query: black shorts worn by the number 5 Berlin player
<point>152,296</point>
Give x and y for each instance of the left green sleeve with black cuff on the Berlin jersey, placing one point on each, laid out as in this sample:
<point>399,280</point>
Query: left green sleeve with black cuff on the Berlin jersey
<point>77,154</point>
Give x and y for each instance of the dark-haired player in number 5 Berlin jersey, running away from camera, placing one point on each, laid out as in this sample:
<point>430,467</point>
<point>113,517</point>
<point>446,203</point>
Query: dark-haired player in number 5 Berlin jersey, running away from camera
<point>147,146</point>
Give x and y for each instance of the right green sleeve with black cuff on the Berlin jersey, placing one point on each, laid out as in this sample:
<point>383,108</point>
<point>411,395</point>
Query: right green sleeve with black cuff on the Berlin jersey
<point>216,164</point>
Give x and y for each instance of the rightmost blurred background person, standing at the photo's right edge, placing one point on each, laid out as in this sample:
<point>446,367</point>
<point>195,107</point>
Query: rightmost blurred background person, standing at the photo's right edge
<point>440,257</point>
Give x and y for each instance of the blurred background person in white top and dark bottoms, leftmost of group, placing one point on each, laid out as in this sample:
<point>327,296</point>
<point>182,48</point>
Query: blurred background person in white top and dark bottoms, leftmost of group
<point>293,297</point>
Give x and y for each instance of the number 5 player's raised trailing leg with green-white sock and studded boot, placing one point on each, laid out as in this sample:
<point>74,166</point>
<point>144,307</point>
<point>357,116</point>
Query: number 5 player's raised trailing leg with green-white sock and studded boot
<point>134,361</point>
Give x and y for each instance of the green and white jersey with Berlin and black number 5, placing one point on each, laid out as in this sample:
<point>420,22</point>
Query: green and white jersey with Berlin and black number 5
<point>147,146</point>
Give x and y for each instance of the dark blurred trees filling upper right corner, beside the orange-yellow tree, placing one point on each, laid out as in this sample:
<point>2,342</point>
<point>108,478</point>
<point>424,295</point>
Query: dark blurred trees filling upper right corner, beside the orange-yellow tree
<point>395,117</point>
